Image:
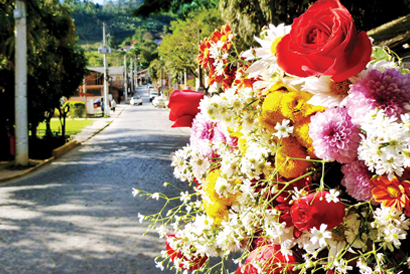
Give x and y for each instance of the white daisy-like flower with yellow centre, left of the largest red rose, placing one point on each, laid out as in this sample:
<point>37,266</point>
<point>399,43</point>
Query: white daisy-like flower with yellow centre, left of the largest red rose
<point>267,53</point>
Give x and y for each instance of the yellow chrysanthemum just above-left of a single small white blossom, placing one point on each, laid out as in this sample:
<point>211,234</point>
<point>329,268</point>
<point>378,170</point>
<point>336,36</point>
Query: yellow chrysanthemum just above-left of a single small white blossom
<point>271,110</point>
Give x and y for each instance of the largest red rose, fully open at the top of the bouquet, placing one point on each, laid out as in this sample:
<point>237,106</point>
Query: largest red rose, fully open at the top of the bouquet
<point>324,41</point>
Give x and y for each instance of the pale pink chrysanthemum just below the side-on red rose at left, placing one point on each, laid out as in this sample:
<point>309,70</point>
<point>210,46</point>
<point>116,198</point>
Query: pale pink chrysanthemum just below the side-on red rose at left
<point>203,133</point>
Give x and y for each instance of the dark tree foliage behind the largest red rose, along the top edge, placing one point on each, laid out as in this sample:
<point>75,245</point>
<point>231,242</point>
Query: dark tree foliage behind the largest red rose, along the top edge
<point>247,18</point>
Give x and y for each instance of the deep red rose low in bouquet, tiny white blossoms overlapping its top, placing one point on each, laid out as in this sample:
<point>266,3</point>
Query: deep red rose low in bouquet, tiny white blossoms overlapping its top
<point>313,210</point>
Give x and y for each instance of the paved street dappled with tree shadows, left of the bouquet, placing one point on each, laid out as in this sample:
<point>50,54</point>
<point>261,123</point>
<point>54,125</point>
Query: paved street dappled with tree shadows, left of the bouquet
<point>78,215</point>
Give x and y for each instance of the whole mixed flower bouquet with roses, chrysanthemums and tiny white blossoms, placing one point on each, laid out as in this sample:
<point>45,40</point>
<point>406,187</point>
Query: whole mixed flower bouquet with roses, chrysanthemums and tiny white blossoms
<point>299,159</point>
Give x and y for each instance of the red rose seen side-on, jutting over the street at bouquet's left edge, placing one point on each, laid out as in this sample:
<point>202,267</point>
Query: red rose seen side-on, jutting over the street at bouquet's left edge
<point>184,106</point>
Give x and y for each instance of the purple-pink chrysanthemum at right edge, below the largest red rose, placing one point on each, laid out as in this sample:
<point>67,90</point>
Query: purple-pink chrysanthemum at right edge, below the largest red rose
<point>388,91</point>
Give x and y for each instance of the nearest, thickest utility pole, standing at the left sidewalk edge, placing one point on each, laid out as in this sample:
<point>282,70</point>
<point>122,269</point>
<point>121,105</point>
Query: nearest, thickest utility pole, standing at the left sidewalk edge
<point>20,95</point>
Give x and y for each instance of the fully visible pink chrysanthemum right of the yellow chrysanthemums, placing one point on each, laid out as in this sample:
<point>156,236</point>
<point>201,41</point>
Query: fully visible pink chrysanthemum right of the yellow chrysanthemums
<point>334,135</point>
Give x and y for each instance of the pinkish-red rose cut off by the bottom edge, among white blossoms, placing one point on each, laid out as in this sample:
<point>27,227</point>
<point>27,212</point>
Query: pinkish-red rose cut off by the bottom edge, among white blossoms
<point>270,259</point>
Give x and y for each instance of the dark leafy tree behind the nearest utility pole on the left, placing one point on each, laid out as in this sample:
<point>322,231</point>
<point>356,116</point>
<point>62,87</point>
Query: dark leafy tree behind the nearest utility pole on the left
<point>55,67</point>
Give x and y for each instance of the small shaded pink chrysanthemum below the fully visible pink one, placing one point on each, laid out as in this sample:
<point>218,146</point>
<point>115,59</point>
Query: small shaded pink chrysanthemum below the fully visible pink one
<point>357,180</point>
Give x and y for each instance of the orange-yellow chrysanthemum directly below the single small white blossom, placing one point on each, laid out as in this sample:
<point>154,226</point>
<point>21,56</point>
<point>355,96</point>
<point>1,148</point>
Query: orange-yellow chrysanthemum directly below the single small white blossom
<point>291,168</point>
